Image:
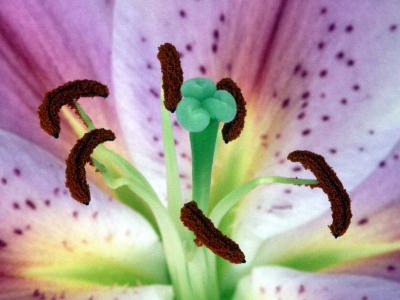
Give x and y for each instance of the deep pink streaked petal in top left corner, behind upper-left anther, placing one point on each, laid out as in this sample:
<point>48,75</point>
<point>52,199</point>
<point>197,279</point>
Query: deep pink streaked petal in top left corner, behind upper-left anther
<point>44,45</point>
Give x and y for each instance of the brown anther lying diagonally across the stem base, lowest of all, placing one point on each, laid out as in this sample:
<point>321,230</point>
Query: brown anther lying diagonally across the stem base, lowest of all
<point>206,234</point>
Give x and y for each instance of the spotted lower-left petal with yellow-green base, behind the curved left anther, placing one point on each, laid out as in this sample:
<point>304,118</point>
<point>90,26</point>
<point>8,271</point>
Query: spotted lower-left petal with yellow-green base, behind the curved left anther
<point>47,238</point>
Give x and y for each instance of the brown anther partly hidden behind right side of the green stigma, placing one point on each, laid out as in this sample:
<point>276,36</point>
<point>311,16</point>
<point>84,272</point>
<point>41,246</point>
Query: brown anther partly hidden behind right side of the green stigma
<point>232,130</point>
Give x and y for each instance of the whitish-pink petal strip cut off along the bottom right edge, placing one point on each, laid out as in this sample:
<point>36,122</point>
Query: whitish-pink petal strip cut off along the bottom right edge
<point>275,283</point>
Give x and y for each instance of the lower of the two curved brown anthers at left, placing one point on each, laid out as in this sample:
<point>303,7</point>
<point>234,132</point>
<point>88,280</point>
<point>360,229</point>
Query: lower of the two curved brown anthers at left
<point>80,154</point>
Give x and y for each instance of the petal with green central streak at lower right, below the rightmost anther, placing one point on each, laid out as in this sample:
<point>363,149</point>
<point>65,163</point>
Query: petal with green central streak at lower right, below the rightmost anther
<point>371,245</point>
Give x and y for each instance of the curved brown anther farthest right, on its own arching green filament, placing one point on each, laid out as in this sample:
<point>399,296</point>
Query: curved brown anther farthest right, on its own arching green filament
<point>331,185</point>
